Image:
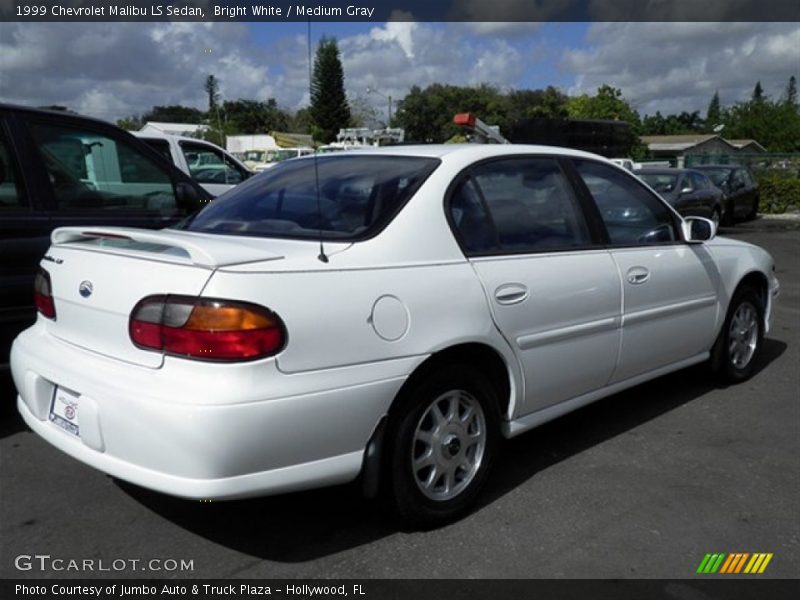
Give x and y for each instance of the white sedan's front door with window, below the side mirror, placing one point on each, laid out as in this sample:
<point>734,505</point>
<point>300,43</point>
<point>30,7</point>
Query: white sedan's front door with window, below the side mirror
<point>670,288</point>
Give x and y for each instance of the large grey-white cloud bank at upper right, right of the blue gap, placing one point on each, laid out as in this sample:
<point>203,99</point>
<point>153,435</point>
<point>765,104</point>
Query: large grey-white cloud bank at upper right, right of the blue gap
<point>674,67</point>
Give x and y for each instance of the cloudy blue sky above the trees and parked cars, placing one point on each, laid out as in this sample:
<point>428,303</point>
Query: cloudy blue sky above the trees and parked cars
<point>113,70</point>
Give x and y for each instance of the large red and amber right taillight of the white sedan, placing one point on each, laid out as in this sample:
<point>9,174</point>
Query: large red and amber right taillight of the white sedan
<point>206,328</point>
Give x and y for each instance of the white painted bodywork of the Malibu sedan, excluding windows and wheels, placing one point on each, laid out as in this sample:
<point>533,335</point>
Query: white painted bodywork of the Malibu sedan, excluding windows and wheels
<point>568,328</point>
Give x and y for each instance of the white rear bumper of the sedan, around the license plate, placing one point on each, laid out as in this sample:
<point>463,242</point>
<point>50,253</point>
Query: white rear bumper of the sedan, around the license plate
<point>171,433</point>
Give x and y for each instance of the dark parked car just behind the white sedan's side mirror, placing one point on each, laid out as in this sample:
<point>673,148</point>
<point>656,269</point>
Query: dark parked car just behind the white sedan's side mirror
<point>688,191</point>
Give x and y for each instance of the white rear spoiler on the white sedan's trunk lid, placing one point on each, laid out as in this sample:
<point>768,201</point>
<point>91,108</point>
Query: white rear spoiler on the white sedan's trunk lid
<point>212,254</point>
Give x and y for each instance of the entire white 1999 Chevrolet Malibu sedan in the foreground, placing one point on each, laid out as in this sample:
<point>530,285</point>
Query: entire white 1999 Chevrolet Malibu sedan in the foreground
<point>389,314</point>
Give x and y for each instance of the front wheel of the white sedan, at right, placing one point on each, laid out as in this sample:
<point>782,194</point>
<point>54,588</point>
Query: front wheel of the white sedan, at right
<point>738,346</point>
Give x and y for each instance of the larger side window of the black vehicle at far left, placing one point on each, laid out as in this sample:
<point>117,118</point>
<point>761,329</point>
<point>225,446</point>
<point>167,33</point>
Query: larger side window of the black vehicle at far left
<point>92,171</point>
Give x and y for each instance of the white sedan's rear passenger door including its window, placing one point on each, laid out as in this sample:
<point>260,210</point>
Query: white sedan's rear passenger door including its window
<point>554,293</point>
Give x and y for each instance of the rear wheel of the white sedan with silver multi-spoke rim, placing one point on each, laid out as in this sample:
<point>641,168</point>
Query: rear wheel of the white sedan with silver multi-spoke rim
<point>441,443</point>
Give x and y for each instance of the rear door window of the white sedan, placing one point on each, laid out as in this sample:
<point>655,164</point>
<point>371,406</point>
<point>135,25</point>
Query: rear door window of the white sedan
<point>528,206</point>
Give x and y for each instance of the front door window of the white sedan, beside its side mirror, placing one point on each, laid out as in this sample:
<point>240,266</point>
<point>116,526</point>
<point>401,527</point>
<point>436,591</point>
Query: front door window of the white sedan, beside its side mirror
<point>633,216</point>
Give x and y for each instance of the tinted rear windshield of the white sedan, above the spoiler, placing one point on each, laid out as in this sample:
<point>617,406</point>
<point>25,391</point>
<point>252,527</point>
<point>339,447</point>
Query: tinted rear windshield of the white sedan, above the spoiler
<point>355,197</point>
